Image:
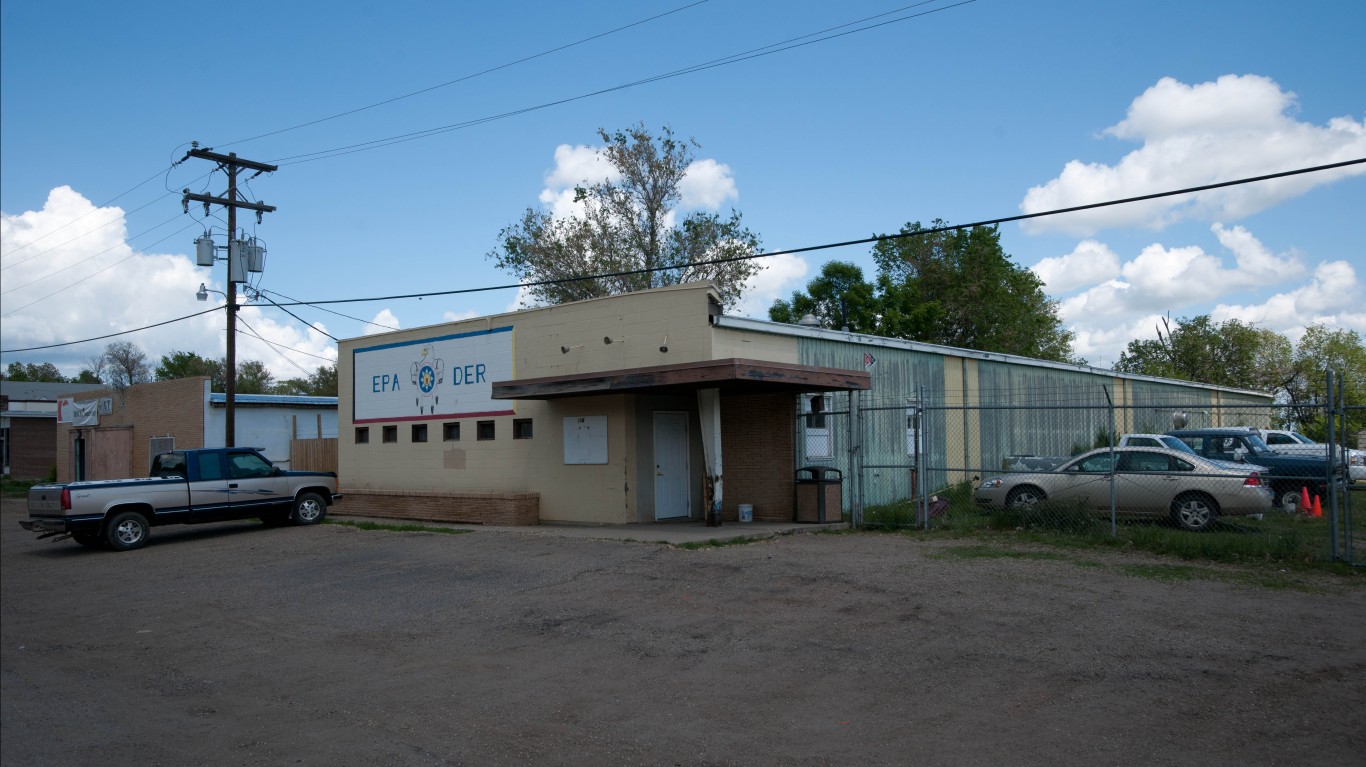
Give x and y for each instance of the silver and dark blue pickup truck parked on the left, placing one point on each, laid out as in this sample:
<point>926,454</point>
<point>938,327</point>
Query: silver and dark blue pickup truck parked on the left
<point>185,487</point>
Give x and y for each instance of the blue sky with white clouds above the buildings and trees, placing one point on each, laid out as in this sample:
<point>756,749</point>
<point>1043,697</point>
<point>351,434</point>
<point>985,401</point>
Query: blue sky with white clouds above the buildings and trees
<point>968,113</point>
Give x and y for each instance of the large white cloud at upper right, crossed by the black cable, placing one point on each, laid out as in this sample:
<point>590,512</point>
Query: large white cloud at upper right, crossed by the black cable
<point>1234,128</point>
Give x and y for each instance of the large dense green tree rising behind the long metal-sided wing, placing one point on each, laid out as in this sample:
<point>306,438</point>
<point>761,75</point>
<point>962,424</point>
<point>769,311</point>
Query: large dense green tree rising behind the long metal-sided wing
<point>961,289</point>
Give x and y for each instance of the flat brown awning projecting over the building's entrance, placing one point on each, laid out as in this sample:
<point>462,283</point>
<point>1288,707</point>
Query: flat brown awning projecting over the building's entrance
<point>727,375</point>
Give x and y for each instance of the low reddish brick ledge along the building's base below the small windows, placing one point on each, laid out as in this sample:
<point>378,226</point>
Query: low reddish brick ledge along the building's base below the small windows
<point>435,507</point>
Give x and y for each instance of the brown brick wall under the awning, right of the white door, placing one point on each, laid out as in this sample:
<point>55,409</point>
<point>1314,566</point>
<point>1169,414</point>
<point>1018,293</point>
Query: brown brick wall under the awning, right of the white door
<point>757,448</point>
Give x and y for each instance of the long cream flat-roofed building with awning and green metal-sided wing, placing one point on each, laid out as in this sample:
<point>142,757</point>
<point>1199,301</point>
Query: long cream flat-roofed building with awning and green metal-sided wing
<point>650,407</point>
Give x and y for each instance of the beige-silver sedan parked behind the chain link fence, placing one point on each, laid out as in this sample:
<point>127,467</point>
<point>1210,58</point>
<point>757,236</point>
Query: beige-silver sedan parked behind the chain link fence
<point>1148,482</point>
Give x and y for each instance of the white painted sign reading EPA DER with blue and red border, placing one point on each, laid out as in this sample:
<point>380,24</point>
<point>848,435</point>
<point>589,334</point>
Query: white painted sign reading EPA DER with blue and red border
<point>449,377</point>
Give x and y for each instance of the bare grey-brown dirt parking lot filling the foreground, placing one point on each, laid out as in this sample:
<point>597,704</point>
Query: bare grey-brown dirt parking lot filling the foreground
<point>330,646</point>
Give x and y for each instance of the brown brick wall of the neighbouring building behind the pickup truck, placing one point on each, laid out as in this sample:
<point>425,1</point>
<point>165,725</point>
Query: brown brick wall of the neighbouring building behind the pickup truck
<point>156,409</point>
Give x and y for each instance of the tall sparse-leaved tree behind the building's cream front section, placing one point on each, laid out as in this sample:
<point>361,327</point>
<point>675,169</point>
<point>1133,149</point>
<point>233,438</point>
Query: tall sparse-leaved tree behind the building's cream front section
<point>626,226</point>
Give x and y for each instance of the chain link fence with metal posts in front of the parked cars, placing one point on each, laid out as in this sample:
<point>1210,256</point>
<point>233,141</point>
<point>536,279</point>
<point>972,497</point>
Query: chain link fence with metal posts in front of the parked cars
<point>1180,476</point>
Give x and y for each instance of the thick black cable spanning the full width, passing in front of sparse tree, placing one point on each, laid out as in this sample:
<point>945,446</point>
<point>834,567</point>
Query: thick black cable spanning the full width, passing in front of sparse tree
<point>808,250</point>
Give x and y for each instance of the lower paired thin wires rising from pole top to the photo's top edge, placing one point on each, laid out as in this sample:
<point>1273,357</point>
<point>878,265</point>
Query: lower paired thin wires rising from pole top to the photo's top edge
<point>733,59</point>
